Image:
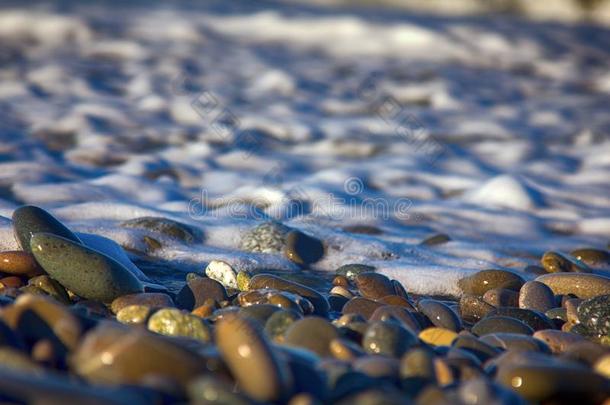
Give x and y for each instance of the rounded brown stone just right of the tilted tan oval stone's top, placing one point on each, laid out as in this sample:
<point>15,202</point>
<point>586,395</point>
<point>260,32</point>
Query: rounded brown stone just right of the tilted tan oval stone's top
<point>312,333</point>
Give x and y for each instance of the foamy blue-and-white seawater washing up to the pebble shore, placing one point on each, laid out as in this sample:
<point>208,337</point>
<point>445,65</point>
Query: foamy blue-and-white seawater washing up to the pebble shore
<point>493,131</point>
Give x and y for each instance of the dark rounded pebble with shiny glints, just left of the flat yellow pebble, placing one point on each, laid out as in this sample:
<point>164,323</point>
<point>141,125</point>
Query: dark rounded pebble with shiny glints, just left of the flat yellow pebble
<point>388,339</point>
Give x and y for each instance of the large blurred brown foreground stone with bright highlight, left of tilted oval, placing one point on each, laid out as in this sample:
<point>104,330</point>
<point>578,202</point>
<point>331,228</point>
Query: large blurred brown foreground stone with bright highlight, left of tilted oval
<point>114,354</point>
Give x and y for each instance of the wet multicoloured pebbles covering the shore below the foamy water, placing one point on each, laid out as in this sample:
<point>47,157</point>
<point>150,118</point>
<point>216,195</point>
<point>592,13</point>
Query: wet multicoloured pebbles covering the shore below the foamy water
<point>76,325</point>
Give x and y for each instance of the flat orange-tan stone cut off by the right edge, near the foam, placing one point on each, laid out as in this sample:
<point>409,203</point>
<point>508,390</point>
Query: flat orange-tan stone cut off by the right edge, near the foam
<point>581,285</point>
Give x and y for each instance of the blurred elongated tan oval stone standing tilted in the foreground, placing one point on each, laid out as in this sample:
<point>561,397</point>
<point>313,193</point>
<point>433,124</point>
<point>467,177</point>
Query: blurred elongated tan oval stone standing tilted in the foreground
<point>260,373</point>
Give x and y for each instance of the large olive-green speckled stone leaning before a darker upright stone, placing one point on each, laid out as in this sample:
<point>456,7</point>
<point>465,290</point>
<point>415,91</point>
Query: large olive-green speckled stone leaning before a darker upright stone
<point>84,271</point>
